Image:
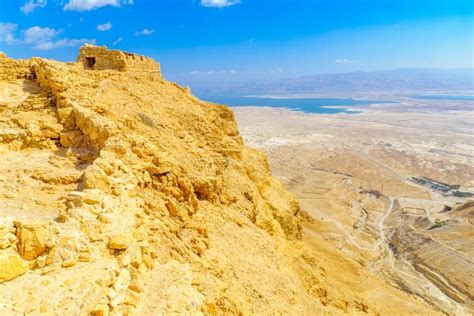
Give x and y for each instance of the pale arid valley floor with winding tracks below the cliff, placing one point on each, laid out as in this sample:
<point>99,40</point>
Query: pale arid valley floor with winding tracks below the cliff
<point>353,174</point>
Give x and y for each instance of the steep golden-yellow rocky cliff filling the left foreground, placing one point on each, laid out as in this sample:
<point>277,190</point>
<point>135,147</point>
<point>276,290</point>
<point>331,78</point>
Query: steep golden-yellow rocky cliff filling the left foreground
<point>122,193</point>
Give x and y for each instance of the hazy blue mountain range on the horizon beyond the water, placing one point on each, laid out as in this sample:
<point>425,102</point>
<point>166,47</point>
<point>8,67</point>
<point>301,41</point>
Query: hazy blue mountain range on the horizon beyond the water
<point>399,80</point>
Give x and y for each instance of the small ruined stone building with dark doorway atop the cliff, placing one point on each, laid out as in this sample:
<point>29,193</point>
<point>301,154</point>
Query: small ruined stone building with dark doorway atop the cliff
<point>100,58</point>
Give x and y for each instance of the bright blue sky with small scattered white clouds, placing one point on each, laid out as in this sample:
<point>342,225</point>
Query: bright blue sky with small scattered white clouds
<point>248,39</point>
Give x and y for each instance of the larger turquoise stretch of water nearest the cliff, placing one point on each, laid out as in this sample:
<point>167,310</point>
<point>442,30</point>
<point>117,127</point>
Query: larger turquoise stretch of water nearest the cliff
<point>309,105</point>
